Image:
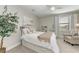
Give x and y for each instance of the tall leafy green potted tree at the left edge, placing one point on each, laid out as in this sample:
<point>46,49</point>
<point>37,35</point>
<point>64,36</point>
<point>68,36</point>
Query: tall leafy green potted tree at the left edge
<point>8,23</point>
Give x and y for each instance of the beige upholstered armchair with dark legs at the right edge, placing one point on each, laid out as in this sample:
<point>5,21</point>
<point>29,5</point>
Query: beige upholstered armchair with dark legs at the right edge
<point>72,38</point>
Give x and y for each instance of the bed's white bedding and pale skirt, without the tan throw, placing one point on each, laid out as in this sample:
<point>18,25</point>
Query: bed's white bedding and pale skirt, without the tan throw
<point>33,42</point>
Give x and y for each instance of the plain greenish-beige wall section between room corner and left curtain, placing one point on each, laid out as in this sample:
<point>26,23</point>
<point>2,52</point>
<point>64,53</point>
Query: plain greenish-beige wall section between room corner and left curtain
<point>47,21</point>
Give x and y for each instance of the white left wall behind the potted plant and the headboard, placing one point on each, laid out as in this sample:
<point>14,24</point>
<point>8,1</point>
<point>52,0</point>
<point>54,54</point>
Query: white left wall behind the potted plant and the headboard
<point>14,39</point>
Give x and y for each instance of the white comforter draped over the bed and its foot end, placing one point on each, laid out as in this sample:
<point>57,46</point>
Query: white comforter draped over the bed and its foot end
<point>32,38</point>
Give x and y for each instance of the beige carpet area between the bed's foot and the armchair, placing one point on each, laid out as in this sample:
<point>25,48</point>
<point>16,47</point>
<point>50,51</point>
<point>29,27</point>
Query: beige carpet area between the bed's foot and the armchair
<point>67,48</point>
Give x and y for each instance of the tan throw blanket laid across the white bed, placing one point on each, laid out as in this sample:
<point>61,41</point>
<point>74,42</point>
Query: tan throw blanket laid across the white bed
<point>45,36</point>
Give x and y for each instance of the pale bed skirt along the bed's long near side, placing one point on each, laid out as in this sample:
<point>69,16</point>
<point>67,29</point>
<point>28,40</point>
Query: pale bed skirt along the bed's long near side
<point>36,48</point>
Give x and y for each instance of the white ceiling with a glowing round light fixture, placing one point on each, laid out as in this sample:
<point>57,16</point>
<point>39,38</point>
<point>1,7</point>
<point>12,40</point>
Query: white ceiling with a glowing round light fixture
<point>44,10</point>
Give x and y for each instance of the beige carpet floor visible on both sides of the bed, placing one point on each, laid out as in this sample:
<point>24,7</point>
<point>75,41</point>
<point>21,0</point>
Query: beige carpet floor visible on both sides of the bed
<point>64,48</point>
